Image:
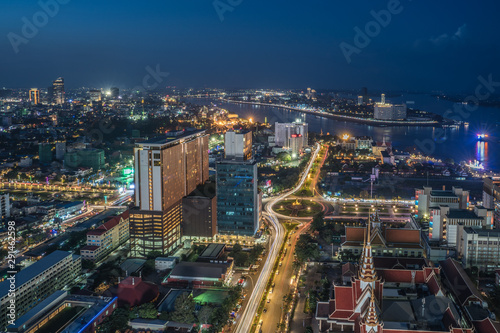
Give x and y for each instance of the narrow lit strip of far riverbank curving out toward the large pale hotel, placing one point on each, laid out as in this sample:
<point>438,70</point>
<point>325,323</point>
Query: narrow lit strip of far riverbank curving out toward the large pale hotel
<point>368,121</point>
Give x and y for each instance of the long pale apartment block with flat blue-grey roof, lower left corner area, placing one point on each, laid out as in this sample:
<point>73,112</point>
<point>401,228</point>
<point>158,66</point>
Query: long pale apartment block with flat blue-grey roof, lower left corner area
<point>38,281</point>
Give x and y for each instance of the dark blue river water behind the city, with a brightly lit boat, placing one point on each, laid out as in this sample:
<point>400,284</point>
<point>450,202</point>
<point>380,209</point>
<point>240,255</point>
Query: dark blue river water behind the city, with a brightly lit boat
<point>456,143</point>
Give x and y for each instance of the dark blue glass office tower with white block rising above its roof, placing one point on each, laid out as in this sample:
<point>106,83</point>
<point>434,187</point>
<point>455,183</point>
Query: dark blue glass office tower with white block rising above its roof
<point>238,199</point>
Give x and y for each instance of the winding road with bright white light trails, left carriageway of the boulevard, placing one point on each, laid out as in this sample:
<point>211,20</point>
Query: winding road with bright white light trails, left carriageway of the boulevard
<point>247,318</point>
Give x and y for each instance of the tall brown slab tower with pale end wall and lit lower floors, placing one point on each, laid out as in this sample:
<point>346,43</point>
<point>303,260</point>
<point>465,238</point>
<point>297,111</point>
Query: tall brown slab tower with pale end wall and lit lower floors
<point>166,169</point>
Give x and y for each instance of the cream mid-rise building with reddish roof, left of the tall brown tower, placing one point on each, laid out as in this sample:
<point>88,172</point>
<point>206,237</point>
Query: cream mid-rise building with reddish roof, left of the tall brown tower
<point>107,237</point>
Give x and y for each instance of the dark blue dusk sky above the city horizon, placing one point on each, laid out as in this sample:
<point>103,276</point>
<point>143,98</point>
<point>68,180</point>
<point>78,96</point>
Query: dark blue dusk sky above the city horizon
<point>429,45</point>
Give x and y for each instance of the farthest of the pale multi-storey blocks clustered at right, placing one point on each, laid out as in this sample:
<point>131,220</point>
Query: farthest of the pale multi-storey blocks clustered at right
<point>426,198</point>
